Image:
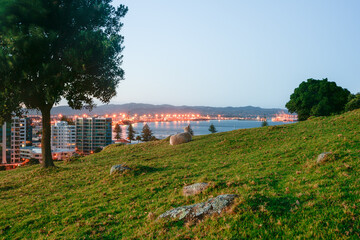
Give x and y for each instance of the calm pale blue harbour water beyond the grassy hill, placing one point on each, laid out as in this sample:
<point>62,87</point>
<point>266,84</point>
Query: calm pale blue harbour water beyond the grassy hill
<point>162,130</point>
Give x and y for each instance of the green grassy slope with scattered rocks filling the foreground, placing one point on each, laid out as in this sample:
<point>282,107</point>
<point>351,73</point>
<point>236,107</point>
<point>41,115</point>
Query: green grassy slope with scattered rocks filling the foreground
<point>282,192</point>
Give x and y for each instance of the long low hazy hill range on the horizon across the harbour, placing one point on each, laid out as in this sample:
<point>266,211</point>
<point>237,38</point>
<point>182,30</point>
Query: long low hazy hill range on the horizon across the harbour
<point>141,108</point>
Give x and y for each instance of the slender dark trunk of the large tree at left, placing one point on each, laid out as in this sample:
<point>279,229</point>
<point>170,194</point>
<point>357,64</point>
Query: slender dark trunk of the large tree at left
<point>47,160</point>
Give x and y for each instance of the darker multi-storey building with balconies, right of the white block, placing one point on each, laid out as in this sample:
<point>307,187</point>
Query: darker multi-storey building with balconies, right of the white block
<point>92,133</point>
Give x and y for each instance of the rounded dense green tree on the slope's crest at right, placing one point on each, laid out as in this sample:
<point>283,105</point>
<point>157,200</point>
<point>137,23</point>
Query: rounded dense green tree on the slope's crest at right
<point>317,98</point>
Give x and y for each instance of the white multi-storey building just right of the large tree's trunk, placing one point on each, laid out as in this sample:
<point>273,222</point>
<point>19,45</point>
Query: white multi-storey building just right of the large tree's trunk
<point>63,136</point>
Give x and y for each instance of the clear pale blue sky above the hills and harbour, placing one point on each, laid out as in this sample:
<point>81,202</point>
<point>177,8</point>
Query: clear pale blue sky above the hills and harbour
<point>235,52</point>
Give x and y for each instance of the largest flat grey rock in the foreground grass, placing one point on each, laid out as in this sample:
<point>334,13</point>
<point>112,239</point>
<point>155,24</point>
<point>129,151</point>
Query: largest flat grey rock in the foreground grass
<point>200,210</point>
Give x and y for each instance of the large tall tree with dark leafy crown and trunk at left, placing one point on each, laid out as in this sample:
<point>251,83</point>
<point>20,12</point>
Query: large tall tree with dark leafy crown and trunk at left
<point>53,50</point>
